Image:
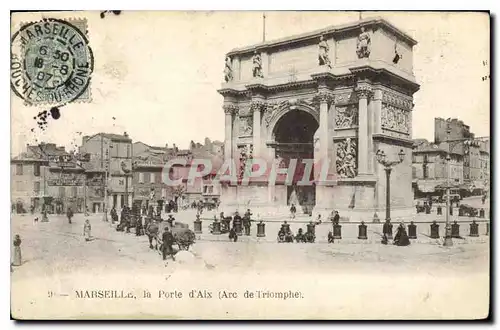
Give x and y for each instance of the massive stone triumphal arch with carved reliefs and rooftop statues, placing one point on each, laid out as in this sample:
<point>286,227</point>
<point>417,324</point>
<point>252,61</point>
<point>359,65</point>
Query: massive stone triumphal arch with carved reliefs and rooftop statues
<point>334,97</point>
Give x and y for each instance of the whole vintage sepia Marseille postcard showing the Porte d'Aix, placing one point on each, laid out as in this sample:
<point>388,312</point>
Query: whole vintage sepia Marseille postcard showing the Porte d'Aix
<point>250,165</point>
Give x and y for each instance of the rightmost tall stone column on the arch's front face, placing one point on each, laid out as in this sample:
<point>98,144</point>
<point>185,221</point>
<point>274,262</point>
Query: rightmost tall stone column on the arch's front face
<point>364,92</point>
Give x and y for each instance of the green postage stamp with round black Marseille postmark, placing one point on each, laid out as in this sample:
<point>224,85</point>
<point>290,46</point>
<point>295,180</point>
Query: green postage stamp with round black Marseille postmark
<point>51,62</point>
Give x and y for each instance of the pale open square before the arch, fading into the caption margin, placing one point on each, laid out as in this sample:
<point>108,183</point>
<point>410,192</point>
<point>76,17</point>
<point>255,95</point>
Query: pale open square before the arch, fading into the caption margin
<point>57,259</point>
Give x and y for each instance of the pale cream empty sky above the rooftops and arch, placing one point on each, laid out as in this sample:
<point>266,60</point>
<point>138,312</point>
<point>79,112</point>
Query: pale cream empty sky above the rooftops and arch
<point>157,73</point>
